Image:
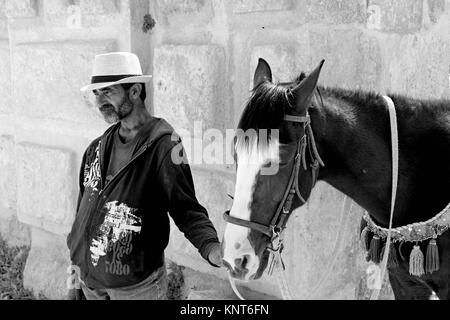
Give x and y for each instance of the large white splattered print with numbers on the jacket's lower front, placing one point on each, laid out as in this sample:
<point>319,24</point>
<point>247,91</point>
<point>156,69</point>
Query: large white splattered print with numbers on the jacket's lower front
<point>115,235</point>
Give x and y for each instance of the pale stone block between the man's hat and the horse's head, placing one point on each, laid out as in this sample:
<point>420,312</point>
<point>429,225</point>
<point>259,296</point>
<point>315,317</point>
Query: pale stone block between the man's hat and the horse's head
<point>189,85</point>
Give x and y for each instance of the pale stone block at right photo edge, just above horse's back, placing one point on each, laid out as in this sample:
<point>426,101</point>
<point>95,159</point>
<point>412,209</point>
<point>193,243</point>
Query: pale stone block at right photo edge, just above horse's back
<point>419,66</point>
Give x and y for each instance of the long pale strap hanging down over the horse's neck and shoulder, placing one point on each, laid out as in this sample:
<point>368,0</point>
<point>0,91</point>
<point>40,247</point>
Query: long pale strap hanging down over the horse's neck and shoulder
<point>394,145</point>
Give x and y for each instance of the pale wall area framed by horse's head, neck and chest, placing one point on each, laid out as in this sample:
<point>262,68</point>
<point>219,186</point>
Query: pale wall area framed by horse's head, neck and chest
<point>322,248</point>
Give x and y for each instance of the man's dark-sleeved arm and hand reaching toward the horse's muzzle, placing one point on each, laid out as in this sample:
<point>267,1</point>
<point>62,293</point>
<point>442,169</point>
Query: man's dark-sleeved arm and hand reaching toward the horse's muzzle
<point>189,216</point>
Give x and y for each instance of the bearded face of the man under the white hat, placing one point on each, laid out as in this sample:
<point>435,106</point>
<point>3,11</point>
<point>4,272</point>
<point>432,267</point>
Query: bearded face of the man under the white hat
<point>113,102</point>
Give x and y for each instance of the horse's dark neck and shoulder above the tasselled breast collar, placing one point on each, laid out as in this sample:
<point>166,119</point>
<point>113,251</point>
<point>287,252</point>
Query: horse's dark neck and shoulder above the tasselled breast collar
<point>355,142</point>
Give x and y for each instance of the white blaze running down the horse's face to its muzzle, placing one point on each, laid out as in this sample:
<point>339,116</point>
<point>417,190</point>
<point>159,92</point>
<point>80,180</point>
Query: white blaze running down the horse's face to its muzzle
<point>250,162</point>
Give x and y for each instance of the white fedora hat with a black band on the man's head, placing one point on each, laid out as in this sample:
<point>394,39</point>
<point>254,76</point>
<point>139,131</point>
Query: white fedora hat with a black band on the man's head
<point>116,68</point>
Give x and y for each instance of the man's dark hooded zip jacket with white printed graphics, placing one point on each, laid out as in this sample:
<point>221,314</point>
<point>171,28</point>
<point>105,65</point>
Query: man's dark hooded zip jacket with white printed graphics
<point>121,228</point>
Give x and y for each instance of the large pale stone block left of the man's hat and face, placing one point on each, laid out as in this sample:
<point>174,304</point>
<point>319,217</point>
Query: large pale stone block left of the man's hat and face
<point>52,74</point>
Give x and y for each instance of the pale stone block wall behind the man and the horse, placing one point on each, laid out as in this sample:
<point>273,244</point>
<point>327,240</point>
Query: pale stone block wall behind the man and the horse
<point>202,55</point>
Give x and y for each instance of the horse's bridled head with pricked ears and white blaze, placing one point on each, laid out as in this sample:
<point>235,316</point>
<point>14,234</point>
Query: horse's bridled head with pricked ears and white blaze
<point>272,150</point>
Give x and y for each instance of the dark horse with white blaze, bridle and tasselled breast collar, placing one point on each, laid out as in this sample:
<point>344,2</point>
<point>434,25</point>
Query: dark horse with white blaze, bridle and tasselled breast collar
<point>342,137</point>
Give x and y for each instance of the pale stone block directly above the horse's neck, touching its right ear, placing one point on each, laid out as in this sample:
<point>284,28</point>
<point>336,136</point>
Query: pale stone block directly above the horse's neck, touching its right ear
<point>352,58</point>
